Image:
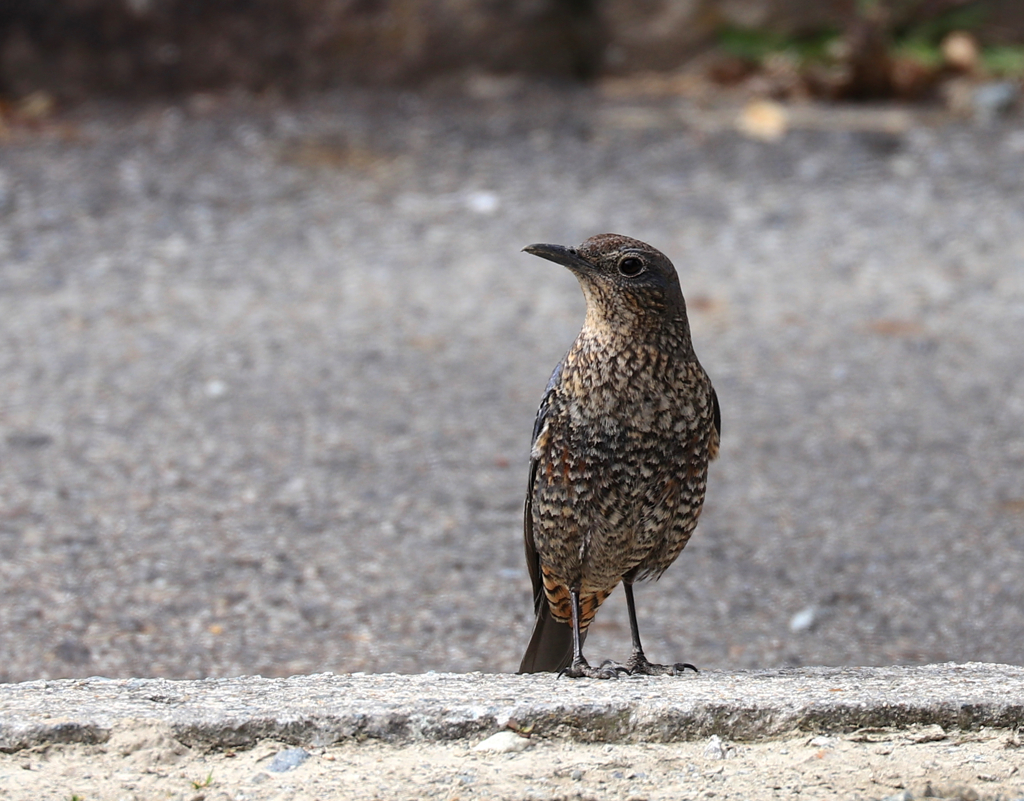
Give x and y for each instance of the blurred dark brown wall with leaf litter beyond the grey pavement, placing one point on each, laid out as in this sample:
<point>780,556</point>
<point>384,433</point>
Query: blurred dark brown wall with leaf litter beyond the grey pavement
<point>833,49</point>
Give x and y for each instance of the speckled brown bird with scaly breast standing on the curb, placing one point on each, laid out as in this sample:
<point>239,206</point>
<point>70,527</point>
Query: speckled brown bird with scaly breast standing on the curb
<point>619,465</point>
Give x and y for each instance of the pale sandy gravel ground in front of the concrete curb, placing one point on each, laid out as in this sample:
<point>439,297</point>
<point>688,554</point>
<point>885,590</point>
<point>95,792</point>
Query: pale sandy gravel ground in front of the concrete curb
<point>879,766</point>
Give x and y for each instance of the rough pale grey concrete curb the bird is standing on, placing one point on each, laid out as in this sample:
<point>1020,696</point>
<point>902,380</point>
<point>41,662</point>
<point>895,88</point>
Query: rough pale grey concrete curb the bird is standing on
<point>324,709</point>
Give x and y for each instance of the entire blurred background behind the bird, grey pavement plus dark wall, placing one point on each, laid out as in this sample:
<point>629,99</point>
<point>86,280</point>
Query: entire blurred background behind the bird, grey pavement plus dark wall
<point>270,354</point>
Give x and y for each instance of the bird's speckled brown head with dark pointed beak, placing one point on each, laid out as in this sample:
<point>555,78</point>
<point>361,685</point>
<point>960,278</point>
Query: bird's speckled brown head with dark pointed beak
<point>628,284</point>
